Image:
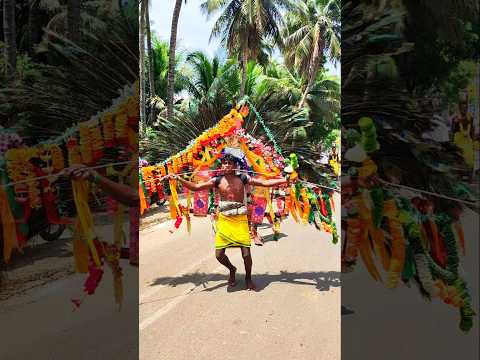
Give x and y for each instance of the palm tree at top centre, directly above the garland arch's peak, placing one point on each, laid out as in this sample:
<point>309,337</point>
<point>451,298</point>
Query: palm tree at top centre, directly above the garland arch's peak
<point>243,27</point>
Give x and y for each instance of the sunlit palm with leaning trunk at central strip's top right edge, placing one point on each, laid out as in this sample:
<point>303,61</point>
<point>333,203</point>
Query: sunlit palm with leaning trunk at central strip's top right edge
<point>312,32</point>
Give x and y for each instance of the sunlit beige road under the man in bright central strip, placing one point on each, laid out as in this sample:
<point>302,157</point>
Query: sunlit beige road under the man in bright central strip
<point>187,312</point>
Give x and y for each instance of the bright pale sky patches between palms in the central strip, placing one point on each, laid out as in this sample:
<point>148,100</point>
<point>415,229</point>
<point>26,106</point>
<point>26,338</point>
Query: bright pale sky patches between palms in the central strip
<point>193,27</point>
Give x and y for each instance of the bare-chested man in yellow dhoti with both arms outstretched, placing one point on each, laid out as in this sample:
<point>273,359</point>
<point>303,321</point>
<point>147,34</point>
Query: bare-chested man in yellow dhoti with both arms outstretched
<point>232,223</point>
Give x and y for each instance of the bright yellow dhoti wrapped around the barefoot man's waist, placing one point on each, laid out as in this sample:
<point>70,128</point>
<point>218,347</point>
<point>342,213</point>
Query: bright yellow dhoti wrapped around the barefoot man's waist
<point>232,231</point>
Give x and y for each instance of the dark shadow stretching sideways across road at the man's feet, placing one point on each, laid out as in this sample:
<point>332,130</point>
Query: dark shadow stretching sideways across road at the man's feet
<point>321,280</point>
